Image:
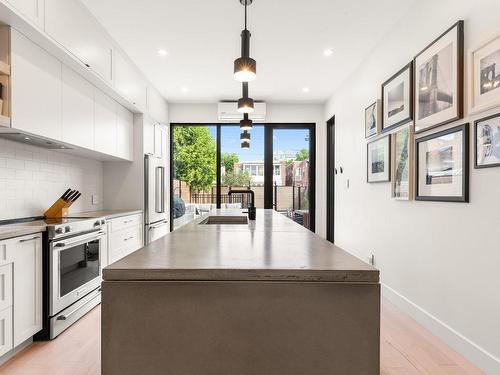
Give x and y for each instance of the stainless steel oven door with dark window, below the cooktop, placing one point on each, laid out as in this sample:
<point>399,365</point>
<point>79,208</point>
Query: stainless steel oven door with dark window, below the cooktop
<point>75,268</point>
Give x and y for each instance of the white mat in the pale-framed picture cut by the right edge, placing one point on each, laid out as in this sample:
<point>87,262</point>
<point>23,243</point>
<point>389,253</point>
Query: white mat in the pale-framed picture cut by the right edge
<point>489,99</point>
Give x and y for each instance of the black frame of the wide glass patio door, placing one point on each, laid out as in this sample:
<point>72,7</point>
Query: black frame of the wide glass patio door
<point>268,163</point>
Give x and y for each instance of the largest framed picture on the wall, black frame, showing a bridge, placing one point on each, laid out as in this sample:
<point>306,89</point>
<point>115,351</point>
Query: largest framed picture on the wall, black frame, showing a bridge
<point>439,71</point>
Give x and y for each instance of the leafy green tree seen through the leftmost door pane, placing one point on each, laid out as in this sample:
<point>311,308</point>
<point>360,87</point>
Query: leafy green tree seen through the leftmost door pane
<point>194,156</point>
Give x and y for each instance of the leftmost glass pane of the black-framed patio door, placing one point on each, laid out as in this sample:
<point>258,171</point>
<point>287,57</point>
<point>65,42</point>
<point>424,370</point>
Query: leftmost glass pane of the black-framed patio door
<point>194,171</point>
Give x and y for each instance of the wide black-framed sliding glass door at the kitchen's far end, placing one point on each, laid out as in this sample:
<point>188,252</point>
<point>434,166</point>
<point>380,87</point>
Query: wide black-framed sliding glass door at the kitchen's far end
<point>207,161</point>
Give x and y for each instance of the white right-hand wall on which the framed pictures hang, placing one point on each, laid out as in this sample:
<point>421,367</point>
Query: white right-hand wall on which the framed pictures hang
<point>438,261</point>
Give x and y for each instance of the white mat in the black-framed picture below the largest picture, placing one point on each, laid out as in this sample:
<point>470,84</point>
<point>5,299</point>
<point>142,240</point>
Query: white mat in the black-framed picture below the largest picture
<point>453,189</point>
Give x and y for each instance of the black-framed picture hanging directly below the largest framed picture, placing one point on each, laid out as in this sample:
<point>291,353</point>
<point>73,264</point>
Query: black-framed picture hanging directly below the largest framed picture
<point>443,166</point>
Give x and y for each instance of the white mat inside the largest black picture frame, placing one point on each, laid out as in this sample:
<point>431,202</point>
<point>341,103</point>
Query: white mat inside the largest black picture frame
<point>451,112</point>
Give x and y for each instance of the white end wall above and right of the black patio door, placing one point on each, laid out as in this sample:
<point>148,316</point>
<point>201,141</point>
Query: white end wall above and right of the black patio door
<point>276,113</point>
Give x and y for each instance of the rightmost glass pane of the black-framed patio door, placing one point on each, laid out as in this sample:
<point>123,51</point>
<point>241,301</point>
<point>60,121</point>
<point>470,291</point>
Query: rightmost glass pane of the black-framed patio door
<point>291,174</point>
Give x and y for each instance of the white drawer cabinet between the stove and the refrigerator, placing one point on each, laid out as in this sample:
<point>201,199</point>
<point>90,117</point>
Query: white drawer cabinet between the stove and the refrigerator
<point>125,235</point>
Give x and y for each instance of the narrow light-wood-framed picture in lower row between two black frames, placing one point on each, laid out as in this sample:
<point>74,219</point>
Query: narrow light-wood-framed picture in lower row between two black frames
<point>402,164</point>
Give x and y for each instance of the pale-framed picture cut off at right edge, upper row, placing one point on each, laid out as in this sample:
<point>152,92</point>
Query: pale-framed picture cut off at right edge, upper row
<point>485,77</point>
